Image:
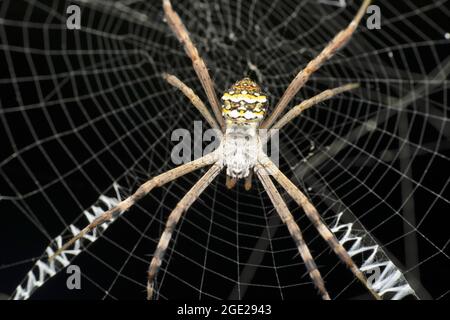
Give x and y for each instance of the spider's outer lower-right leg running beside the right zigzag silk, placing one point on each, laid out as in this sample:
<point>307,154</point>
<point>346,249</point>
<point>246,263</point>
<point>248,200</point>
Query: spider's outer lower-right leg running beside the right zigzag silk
<point>314,217</point>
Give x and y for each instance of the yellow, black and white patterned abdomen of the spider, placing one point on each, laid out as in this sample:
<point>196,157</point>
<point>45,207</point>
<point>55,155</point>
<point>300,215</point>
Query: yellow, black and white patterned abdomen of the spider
<point>244,102</point>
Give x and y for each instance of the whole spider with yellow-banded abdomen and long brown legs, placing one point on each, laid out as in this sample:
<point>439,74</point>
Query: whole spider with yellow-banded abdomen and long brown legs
<point>239,117</point>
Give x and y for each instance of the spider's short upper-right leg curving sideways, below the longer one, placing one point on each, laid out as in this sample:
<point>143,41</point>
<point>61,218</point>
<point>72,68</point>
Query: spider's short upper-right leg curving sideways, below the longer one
<point>324,95</point>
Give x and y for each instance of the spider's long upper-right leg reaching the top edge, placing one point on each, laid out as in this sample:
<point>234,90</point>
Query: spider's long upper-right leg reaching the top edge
<point>337,43</point>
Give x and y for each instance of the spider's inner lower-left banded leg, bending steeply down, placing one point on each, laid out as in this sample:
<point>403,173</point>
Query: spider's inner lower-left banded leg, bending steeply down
<point>172,221</point>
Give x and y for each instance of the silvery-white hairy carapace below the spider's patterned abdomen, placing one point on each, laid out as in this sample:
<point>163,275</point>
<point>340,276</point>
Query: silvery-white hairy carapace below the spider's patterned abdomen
<point>240,150</point>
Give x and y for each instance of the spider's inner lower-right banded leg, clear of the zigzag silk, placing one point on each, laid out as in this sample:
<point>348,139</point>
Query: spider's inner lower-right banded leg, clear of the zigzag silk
<point>295,232</point>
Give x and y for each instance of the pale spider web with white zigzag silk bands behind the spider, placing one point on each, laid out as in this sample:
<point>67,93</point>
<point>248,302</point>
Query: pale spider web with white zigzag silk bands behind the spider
<point>86,118</point>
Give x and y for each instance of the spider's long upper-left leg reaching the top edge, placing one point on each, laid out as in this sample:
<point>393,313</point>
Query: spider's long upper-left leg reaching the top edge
<point>177,26</point>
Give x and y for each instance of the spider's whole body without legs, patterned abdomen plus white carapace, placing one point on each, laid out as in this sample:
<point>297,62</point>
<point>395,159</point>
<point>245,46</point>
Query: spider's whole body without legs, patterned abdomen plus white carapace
<point>244,106</point>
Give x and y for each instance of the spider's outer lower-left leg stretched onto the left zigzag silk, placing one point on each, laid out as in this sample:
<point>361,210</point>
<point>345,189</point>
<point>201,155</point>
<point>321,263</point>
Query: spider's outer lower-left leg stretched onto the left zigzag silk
<point>142,191</point>
